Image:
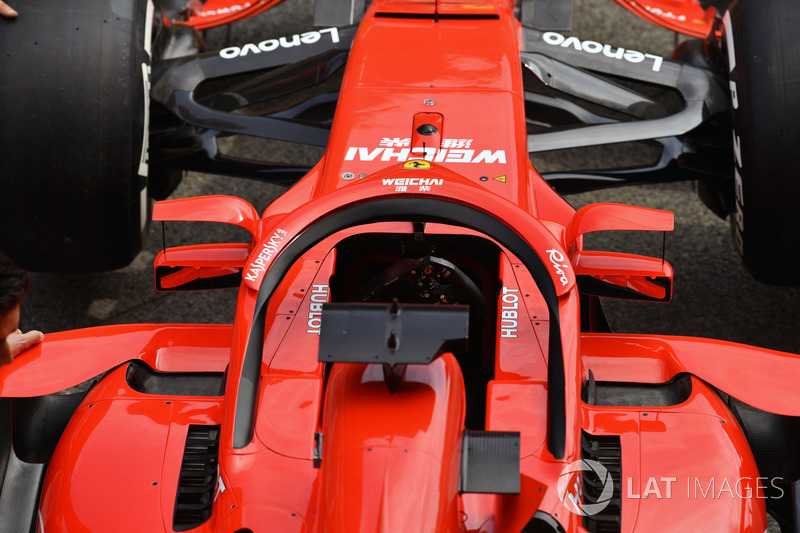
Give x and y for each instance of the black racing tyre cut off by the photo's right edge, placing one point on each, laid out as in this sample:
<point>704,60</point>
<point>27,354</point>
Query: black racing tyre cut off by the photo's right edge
<point>764,74</point>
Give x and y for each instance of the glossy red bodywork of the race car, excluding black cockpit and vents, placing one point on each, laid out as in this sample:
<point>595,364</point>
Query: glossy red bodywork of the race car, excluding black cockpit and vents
<point>331,447</point>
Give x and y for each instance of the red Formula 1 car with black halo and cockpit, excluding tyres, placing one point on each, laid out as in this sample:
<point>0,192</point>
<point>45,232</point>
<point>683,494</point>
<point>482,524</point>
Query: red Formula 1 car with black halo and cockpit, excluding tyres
<point>418,344</point>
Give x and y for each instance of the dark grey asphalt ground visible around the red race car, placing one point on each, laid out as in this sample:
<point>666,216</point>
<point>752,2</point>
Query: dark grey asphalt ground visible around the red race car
<point>713,295</point>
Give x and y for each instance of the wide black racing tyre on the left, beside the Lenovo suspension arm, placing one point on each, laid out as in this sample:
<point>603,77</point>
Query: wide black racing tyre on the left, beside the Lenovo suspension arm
<point>74,83</point>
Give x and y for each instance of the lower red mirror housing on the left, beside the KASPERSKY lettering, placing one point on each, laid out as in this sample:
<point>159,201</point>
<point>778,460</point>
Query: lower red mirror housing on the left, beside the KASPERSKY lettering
<point>200,267</point>
